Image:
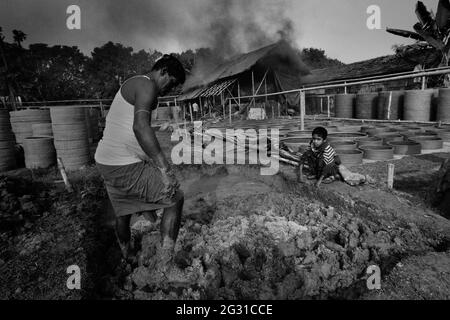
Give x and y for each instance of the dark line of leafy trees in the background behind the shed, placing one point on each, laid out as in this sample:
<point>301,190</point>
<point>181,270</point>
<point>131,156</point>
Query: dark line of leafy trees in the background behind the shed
<point>45,73</point>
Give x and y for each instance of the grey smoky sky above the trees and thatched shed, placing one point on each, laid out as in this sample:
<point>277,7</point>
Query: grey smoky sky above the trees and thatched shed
<point>338,26</point>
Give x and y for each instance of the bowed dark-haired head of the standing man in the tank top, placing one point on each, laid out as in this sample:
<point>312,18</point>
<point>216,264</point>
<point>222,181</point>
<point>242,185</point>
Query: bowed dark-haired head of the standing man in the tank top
<point>168,72</point>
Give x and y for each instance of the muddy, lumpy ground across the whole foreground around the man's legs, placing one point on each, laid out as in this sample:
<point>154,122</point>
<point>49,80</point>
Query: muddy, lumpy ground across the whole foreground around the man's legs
<point>243,236</point>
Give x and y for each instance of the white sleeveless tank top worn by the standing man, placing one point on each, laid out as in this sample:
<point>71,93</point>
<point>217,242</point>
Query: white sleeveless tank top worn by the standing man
<point>119,145</point>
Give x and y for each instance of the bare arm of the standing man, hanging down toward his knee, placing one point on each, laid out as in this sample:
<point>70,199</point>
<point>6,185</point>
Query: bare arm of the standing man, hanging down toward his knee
<point>144,98</point>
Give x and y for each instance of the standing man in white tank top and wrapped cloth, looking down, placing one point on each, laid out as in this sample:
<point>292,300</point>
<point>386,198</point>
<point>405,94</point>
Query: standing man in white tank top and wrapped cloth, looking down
<point>137,175</point>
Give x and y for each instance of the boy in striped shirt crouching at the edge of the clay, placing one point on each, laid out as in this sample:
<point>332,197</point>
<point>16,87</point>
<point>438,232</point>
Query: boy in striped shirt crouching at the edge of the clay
<point>321,159</point>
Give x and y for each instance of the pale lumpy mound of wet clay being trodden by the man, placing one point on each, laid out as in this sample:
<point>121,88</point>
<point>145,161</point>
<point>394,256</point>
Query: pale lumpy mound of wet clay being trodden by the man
<point>261,241</point>
